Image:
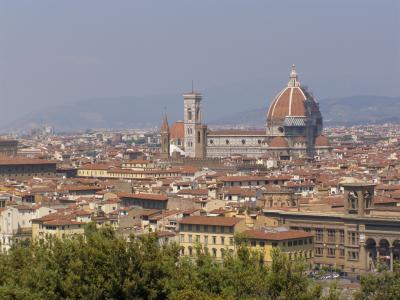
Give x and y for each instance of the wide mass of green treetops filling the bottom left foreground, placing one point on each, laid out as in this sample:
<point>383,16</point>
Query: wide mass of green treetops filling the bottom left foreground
<point>101,265</point>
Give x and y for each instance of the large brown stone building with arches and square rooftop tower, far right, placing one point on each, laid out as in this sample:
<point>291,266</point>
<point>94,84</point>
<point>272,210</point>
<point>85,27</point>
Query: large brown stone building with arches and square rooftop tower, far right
<point>354,241</point>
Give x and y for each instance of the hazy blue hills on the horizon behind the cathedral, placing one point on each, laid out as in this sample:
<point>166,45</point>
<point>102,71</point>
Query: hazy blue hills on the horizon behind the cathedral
<point>220,108</point>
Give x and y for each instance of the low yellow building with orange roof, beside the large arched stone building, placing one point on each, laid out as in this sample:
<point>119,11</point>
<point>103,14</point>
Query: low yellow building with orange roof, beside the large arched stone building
<point>295,244</point>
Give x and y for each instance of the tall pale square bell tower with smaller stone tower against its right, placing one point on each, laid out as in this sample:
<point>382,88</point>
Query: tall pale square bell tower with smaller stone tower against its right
<point>195,131</point>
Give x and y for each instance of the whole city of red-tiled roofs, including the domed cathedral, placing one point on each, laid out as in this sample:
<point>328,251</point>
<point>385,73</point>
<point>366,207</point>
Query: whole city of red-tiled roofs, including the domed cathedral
<point>328,197</point>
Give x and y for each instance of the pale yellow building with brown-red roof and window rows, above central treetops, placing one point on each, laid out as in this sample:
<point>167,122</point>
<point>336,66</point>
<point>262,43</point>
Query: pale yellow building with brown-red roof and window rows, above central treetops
<point>214,234</point>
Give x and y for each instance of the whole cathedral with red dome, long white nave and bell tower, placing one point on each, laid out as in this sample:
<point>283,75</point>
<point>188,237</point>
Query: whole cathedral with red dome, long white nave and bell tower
<point>293,129</point>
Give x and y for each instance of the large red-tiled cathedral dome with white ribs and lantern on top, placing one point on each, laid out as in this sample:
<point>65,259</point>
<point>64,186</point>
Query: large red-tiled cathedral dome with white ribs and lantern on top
<point>291,101</point>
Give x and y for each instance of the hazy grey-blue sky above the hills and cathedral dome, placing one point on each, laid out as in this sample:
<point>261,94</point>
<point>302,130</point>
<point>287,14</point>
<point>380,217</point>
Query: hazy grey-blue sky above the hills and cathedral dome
<point>54,52</point>
